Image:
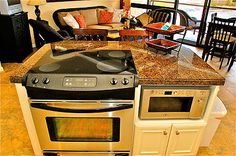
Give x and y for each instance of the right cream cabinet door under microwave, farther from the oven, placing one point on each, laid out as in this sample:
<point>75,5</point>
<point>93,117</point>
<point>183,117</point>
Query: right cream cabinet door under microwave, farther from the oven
<point>185,139</point>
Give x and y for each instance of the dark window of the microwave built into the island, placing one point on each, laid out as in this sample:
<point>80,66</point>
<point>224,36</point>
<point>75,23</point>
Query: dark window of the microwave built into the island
<point>170,104</point>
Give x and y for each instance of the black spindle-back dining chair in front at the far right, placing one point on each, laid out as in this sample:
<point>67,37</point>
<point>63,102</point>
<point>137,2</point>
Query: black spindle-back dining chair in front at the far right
<point>219,41</point>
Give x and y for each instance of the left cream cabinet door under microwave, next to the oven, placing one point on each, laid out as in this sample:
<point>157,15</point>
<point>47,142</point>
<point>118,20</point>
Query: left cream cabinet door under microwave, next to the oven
<point>151,140</point>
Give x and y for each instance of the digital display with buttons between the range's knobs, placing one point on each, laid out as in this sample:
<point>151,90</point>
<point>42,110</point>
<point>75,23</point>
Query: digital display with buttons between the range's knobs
<point>79,81</point>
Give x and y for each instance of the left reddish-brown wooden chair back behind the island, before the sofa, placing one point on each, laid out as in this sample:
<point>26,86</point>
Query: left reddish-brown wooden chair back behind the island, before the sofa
<point>90,34</point>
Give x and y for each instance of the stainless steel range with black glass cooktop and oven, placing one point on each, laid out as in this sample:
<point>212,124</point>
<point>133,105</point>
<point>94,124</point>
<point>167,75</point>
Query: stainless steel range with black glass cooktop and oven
<point>82,102</point>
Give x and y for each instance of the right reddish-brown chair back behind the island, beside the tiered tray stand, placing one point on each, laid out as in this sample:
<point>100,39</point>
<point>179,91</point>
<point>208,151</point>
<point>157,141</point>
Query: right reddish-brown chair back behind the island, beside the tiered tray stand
<point>135,35</point>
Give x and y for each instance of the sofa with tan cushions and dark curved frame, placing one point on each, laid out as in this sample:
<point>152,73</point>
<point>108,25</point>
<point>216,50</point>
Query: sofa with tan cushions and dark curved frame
<point>91,18</point>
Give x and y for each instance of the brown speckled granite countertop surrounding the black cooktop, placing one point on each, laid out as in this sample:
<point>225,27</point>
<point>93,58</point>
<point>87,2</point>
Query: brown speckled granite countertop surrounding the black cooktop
<point>153,68</point>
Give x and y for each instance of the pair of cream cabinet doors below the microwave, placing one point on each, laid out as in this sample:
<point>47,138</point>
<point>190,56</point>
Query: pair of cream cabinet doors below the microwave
<point>168,139</point>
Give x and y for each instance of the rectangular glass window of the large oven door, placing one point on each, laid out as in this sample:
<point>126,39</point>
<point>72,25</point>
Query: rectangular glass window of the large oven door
<point>74,129</point>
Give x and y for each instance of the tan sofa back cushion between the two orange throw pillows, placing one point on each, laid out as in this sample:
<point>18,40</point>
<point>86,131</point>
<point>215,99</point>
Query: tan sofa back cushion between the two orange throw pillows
<point>90,16</point>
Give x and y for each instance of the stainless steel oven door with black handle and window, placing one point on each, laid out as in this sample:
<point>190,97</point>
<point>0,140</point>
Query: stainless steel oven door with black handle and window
<point>84,125</point>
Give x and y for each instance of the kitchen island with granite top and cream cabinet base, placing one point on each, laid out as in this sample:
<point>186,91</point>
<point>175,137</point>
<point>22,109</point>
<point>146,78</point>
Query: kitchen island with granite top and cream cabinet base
<point>154,70</point>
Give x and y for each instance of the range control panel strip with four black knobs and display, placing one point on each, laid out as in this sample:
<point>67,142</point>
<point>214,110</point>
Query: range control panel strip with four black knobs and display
<point>81,82</point>
